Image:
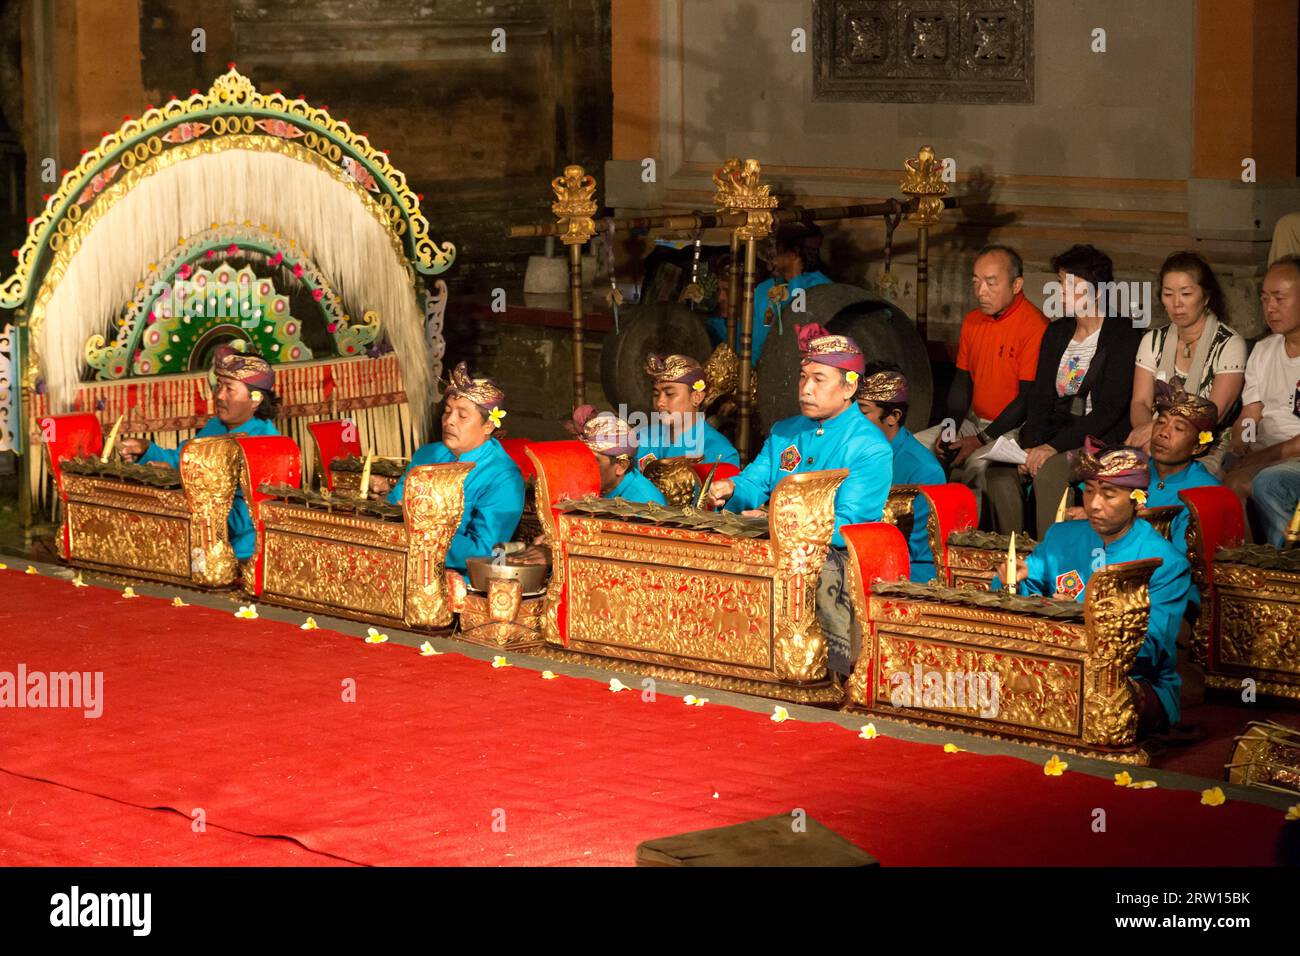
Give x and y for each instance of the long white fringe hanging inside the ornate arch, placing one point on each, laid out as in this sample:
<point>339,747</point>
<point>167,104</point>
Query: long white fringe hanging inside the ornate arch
<point>296,200</point>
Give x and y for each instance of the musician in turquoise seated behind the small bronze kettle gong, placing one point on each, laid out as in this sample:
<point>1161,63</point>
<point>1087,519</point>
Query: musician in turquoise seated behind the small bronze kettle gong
<point>495,490</point>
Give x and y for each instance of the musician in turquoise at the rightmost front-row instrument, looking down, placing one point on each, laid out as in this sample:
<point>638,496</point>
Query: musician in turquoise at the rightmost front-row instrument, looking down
<point>1115,488</point>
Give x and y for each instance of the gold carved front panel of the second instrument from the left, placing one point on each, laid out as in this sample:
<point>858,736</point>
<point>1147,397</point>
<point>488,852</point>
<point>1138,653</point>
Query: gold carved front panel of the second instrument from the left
<point>333,574</point>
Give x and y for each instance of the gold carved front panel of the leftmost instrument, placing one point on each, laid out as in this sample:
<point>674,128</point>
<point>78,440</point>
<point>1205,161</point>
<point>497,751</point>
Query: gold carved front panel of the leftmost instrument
<point>132,540</point>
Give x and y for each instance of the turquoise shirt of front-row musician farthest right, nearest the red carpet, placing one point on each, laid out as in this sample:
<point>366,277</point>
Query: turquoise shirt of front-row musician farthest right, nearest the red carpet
<point>1072,552</point>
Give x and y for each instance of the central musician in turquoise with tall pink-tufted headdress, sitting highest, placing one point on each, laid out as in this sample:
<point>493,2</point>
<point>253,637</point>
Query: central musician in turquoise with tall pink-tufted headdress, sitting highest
<point>831,434</point>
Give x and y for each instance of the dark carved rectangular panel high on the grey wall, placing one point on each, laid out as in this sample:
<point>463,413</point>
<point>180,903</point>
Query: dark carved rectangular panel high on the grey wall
<point>924,51</point>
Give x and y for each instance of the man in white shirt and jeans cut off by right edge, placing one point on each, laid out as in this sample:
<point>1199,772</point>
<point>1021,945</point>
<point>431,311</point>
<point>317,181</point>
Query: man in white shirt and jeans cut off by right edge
<point>1267,436</point>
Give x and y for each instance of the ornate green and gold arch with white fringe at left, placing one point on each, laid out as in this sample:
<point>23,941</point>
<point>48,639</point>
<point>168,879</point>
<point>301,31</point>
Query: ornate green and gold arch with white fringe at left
<point>229,179</point>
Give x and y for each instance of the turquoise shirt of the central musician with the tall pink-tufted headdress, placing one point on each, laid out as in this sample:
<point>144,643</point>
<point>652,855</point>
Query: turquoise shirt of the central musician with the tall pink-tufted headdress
<point>800,444</point>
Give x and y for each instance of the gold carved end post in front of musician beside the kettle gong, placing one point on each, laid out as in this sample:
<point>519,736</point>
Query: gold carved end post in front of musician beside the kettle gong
<point>434,504</point>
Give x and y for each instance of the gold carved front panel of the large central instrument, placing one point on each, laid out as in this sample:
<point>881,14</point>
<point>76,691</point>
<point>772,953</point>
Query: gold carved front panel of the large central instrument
<point>682,613</point>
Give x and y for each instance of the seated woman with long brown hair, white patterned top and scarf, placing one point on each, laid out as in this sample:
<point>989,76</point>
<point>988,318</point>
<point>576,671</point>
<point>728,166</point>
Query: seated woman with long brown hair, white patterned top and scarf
<point>1197,352</point>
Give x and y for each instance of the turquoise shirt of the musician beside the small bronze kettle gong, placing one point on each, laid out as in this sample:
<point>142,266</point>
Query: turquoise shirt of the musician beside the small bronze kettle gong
<point>495,499</point>
